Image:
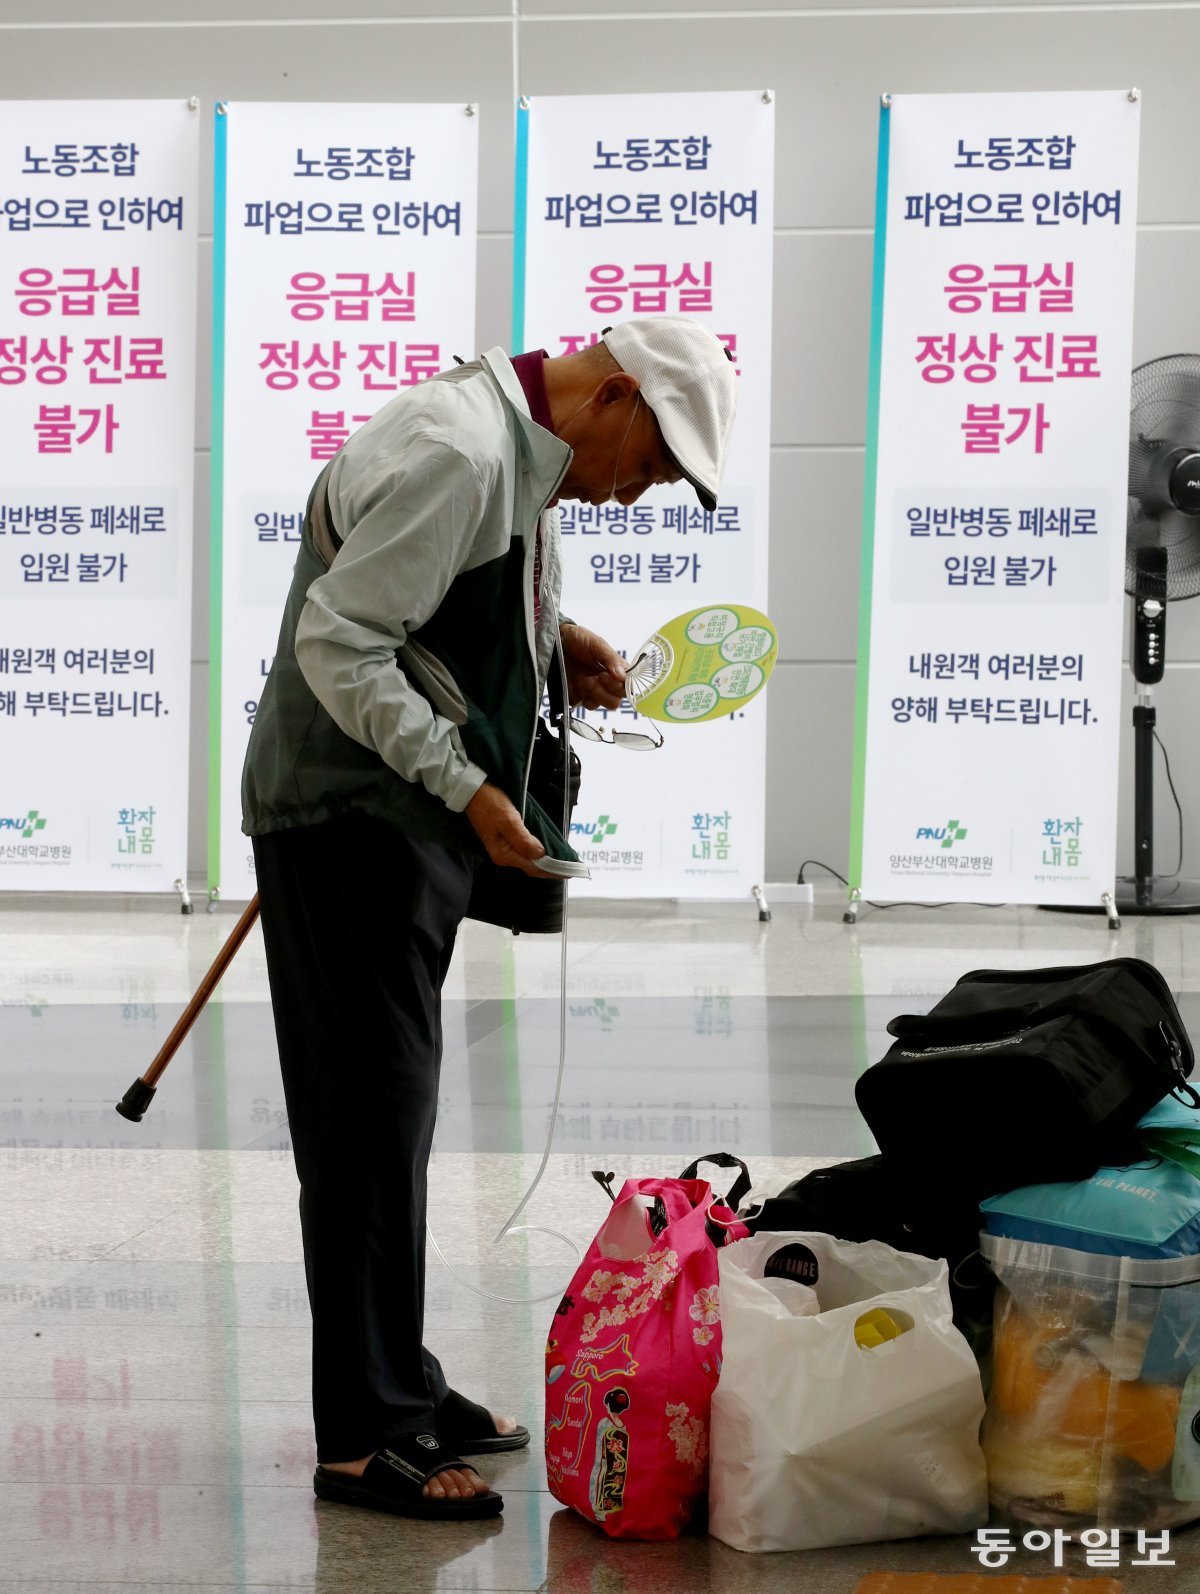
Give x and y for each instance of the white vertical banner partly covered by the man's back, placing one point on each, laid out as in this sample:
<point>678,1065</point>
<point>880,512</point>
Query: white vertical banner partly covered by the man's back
<point>345,273</point>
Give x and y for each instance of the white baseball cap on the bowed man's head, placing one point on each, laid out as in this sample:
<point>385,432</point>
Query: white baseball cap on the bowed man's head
<point>688,379</point>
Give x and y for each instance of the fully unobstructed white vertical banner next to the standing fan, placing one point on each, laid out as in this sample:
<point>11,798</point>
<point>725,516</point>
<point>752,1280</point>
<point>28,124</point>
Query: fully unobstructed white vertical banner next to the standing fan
<point>990,640</point>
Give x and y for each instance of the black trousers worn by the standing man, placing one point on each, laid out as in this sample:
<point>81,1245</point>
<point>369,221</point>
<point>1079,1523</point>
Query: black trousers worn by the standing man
<point>359,925</point>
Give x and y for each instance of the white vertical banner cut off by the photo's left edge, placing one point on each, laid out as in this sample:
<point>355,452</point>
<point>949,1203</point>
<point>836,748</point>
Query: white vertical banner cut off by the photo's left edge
<point>98,374</point>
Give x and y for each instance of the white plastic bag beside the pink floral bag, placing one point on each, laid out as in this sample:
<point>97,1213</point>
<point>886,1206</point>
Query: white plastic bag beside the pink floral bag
<point>822,1437</point>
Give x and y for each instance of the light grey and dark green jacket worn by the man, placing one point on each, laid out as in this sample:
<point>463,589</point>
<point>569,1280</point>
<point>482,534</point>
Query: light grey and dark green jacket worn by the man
<point>410,670</point>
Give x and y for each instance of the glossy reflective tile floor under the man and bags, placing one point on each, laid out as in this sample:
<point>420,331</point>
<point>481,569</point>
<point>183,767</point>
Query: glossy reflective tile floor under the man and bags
<point>154,1324</point>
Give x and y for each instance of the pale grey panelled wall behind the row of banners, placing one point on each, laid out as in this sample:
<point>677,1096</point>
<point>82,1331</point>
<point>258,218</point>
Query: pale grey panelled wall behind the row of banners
<point>828,66</point>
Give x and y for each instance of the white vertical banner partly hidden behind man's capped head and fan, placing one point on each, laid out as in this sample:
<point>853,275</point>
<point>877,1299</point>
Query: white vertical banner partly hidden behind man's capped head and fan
<point>638,205</point>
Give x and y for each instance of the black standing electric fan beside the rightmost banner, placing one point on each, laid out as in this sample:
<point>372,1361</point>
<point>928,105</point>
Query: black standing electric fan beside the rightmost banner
<point>1163,565</point>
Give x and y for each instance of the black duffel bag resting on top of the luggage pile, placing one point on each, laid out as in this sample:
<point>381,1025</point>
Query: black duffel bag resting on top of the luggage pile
<point>1025,1077</point>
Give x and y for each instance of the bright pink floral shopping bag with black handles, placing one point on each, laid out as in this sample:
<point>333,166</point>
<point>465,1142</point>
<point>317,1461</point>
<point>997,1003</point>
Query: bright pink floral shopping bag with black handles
<point>633,1359</point>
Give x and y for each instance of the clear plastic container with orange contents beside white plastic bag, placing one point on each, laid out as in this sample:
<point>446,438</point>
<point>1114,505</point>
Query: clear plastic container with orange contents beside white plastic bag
<point>1094,1411</point>
